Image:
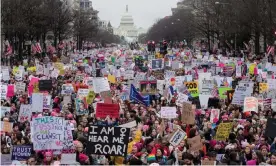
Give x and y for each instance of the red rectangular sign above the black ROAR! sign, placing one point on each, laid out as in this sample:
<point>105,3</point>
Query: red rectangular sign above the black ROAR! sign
<point>104,109</point>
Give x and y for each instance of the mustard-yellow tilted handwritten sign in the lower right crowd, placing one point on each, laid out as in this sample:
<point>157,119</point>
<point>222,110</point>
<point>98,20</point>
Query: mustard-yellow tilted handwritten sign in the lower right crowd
<point>223,131</point>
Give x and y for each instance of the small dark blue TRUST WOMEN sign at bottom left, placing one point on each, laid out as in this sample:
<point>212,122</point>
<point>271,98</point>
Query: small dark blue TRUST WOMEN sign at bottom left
<point>21,152</point>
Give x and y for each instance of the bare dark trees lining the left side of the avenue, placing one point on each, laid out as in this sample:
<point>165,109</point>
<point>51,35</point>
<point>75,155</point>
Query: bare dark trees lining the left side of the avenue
<point>29,20</point>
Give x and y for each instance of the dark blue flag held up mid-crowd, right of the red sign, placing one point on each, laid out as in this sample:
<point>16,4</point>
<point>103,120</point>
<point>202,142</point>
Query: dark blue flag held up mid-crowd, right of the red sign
<point>137,97</point>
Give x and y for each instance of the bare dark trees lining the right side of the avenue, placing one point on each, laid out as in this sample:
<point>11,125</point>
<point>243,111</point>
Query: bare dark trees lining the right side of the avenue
<point>220,20</point>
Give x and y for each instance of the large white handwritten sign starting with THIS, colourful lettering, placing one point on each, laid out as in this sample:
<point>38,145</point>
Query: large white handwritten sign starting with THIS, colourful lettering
<point>47,132</point>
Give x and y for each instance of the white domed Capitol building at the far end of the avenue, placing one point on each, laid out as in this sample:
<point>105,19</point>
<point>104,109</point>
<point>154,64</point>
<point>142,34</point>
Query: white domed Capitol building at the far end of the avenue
<point>127,29</point>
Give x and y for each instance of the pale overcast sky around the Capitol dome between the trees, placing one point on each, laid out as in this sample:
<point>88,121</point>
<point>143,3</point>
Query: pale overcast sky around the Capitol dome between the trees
<point>144,12</point>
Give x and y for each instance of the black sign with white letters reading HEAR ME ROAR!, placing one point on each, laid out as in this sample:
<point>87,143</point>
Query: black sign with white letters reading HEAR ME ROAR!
<point>111,141</point>
